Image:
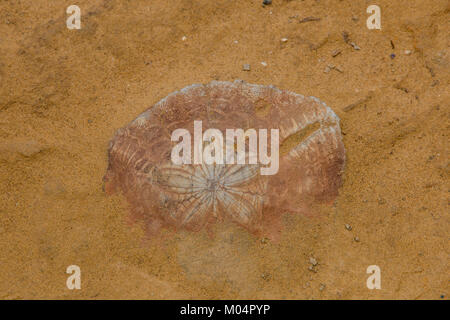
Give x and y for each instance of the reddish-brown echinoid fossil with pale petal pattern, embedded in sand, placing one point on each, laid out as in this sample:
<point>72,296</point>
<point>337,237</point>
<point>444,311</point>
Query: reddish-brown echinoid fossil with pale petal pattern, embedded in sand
<point>194,195</point>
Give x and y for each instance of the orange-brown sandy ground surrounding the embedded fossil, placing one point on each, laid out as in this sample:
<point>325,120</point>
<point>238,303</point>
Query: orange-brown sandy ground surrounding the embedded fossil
<point>63,93</point>
